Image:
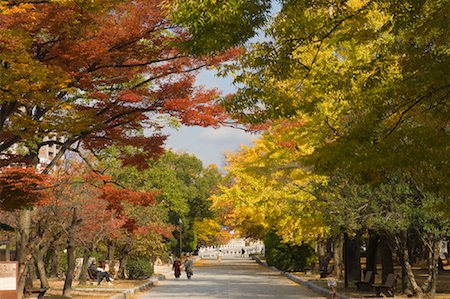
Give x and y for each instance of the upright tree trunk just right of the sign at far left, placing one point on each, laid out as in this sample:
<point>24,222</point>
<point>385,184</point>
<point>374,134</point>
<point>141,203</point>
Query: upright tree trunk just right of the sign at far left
<point>22,251</point>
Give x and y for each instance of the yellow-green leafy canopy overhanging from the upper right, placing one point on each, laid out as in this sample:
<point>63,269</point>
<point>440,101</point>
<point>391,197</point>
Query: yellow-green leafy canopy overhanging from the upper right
<point>368,80</point>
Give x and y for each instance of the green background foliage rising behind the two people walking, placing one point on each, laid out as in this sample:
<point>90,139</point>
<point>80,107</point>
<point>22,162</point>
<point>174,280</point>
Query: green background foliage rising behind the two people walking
<point>183,187</point>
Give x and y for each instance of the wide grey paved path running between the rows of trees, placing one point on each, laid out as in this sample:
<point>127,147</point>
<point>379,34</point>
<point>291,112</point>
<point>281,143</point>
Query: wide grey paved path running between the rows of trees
<point>233,279</point>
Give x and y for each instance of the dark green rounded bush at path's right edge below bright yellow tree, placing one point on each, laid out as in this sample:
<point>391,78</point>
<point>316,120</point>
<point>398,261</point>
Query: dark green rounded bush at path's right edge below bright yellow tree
<point>287,257</point>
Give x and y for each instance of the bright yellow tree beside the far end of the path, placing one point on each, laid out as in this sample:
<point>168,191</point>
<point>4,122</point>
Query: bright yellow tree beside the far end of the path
<point>268,189</point>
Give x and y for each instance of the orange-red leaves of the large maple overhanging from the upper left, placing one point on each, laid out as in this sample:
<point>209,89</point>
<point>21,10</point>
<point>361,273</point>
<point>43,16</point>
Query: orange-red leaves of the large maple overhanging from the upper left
<point>125,65</point>
